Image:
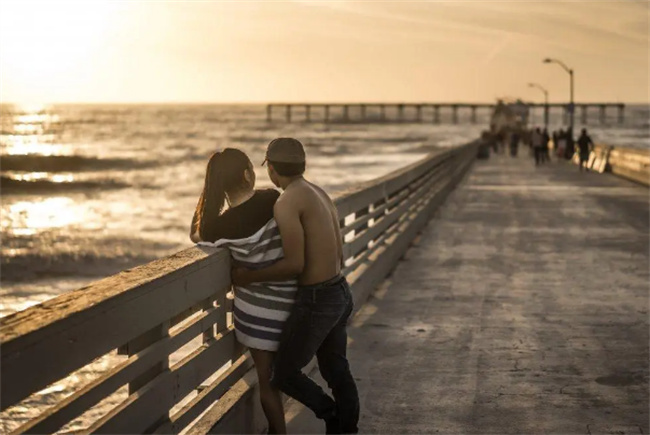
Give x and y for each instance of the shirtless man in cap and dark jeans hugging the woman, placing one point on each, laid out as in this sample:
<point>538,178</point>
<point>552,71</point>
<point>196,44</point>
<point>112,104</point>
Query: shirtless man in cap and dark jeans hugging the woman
<point>311,240</point>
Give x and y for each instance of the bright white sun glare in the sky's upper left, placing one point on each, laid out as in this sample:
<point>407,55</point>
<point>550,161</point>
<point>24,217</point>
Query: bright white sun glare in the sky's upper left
<point>43,42</point>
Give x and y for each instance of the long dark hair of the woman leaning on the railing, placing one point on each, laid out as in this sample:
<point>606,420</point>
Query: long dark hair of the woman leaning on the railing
<point>224,175</point>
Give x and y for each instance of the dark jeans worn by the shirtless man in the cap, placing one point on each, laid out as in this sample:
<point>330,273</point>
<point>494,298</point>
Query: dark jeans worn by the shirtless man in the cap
<point>317,326</point>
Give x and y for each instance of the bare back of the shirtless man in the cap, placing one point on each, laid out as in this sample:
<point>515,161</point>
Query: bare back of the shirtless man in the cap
<point>322,236</point>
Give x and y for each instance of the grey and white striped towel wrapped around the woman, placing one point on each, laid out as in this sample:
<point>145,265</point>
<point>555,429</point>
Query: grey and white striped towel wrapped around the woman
<point>260,309</point>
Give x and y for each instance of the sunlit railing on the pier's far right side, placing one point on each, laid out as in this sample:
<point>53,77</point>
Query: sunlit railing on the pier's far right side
<point>630,163</point>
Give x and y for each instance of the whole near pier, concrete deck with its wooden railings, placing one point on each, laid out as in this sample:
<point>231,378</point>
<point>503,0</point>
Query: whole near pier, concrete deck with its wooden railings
<point>490,295</point>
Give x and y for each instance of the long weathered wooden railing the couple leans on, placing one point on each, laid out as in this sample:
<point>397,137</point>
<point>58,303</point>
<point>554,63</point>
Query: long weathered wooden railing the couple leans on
<point>184,301</point>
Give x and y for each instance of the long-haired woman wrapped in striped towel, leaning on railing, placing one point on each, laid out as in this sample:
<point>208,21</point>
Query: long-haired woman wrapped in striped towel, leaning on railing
<point>248,230</point>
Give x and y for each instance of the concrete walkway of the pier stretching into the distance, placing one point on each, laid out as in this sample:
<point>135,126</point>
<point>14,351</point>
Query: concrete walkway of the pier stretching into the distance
<point>522,308</point>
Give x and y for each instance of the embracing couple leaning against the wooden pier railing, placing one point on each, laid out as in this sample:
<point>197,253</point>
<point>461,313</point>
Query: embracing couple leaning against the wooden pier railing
<point>291,301</point>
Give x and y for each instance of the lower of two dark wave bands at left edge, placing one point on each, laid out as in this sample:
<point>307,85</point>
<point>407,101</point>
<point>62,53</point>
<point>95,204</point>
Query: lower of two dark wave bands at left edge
<point>10,186</point>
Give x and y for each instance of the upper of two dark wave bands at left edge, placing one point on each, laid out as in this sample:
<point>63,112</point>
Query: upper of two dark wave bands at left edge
<point>63,163</point>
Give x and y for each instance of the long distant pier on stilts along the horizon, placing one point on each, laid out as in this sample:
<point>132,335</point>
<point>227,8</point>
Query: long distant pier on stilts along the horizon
<point>413,112</point>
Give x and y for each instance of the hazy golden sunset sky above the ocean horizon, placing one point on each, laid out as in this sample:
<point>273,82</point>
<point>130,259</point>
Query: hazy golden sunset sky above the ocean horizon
<point>336,51</point>
